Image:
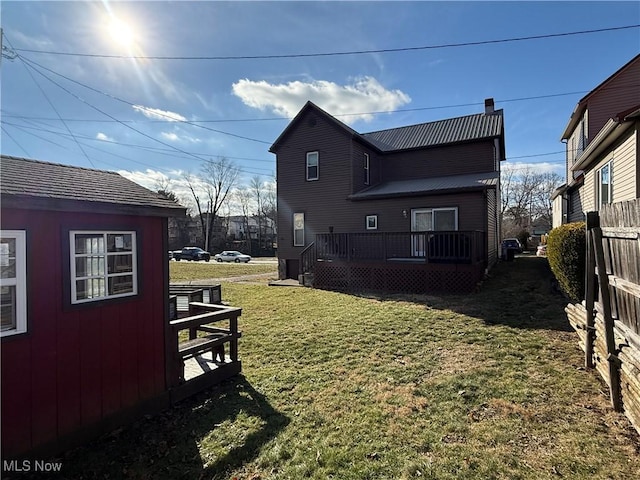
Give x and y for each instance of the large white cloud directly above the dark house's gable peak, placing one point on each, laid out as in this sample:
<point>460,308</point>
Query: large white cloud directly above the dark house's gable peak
<point>364,94</point>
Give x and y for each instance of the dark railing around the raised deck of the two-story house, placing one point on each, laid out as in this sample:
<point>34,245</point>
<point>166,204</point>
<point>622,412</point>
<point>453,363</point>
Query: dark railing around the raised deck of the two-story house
<point>429,247</point>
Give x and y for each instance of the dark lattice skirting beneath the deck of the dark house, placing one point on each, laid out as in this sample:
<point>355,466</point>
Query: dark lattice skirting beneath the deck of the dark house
<point>397,278</point>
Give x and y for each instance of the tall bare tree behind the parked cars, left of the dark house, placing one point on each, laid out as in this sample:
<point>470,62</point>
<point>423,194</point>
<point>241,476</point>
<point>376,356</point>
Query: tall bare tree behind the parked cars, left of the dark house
<point>210,190</point>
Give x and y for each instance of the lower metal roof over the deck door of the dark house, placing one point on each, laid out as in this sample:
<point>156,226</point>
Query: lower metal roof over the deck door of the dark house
<point>425,186</point>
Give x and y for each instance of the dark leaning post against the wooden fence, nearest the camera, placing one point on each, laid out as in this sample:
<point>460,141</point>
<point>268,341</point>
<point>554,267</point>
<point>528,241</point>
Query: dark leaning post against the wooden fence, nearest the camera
<point>605,300</point>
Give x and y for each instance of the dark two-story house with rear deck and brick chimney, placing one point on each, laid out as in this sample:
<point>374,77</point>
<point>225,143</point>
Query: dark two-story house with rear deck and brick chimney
<point>418,204</point>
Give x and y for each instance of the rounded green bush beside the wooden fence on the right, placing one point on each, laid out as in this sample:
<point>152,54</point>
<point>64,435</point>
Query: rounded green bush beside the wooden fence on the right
<point>566,251</point>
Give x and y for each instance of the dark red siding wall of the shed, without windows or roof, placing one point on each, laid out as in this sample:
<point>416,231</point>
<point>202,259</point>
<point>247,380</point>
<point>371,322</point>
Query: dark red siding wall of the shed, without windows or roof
<point>77,365</point>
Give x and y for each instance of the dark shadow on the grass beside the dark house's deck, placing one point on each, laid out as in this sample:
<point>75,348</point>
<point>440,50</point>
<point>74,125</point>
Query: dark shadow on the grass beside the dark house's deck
<point>520,294</point>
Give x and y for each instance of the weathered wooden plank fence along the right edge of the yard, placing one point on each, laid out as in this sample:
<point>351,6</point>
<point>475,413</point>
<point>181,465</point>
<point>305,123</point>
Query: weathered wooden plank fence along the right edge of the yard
<point>608,320</point>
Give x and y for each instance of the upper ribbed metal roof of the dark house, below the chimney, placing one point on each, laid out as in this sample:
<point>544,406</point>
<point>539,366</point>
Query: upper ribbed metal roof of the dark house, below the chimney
<point>451,130</point>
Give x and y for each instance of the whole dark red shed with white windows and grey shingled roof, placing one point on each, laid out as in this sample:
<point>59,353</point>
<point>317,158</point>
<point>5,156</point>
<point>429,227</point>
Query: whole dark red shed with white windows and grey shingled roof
<point>86,342</point>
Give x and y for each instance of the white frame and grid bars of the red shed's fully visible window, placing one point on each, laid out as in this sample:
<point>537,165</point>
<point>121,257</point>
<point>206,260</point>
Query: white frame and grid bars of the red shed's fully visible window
<point>106,276</point>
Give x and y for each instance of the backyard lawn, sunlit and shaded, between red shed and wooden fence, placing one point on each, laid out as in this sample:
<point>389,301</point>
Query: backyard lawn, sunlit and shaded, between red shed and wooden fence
<point>484,386</point>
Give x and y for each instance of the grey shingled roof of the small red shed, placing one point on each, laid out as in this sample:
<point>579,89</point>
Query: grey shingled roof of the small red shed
<point>21,177</point>
